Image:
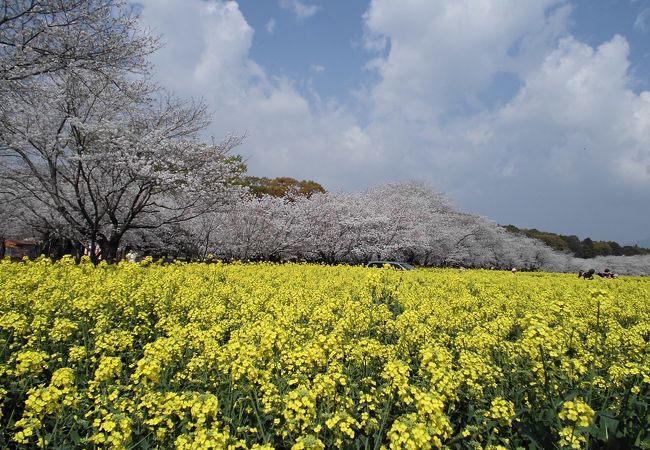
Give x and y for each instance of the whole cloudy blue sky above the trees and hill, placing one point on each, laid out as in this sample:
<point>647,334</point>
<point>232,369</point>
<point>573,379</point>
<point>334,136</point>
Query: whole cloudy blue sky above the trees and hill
<point>534,113</point>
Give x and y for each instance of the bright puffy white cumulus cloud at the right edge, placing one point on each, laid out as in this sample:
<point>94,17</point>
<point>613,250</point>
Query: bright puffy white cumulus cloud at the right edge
<point>576,118</point>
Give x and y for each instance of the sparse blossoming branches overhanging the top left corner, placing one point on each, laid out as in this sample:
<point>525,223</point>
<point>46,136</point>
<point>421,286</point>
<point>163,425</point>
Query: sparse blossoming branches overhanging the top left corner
<point>48,36</point>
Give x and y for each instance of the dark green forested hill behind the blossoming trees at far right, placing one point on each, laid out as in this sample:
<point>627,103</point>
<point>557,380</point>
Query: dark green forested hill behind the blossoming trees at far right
<point>586,248</point>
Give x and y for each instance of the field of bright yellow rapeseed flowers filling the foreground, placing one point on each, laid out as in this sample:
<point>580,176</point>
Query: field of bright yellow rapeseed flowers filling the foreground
<point>312,357</point>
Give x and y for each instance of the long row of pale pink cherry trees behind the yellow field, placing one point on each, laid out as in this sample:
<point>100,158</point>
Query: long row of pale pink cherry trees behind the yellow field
<point>405,221</point>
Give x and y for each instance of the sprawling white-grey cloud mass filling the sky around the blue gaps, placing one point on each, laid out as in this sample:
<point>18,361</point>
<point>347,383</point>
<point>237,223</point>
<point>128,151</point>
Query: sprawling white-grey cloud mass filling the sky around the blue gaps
<point>569,135</point>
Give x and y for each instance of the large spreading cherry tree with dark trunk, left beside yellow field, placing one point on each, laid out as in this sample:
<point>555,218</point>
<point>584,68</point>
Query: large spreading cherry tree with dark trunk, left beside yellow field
<point>108,160</point>
